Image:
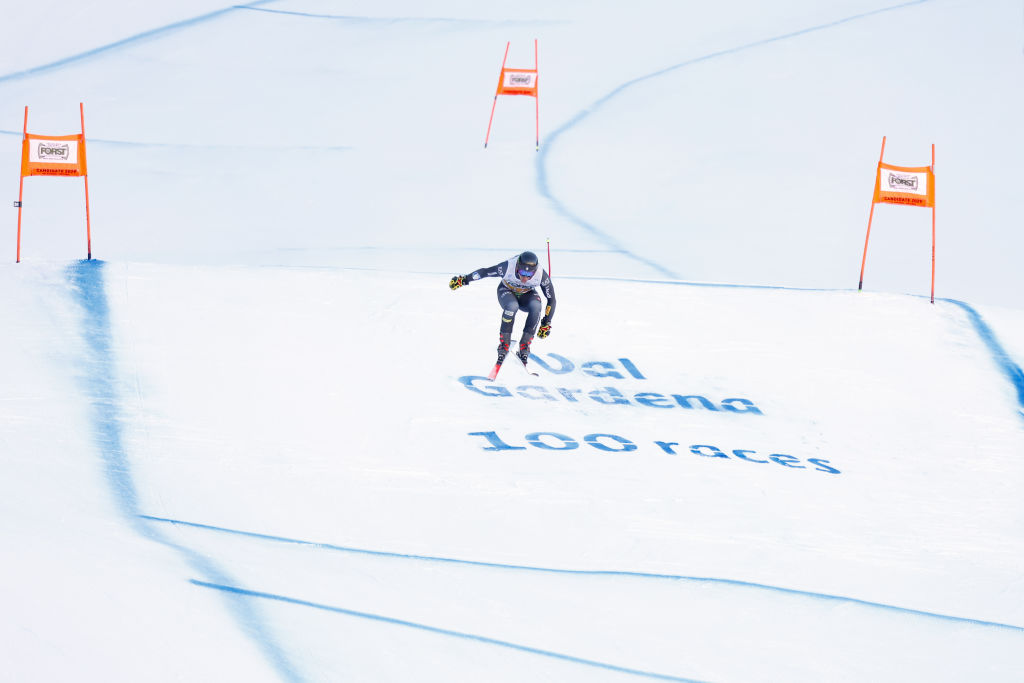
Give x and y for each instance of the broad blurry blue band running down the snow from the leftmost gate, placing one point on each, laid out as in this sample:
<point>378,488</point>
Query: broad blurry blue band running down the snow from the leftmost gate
<point>100,389</point>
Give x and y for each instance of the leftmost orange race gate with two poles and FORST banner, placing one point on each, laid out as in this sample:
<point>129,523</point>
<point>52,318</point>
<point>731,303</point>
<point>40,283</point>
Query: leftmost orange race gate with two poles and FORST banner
<point>54,155</point>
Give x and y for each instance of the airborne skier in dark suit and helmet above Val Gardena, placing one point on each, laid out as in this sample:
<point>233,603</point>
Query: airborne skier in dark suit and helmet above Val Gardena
<point>517,291</point>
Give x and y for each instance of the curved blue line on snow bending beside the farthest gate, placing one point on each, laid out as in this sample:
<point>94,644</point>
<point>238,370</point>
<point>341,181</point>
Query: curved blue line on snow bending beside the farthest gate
<point>542,173</point>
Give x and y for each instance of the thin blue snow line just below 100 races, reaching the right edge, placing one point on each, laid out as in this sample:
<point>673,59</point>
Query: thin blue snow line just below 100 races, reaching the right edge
<point>590,573</point>
